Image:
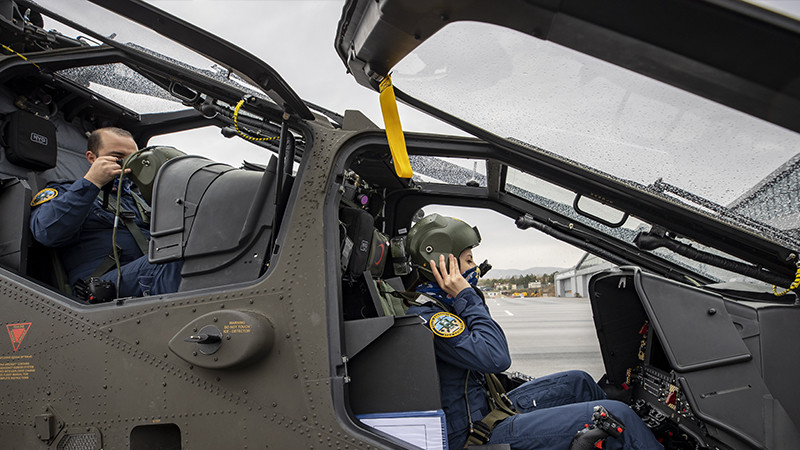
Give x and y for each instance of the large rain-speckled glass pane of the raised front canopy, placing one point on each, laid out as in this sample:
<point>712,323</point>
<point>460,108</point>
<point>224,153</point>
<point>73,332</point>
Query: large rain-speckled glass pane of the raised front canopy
<point>613,120</point>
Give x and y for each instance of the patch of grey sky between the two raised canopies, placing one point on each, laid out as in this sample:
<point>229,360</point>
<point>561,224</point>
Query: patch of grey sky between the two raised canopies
<point>296,39</point>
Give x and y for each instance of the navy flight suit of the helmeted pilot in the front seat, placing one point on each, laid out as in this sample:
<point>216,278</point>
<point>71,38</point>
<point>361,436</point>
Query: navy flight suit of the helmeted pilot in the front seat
<point>552,408</point>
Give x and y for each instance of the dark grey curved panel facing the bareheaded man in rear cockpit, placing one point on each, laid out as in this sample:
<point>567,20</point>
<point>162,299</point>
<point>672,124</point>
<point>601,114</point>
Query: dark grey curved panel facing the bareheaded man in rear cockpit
<point>218,219</point>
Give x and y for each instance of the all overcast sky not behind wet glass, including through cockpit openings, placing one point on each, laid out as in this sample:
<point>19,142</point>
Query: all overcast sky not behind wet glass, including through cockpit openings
<point>296,38</point>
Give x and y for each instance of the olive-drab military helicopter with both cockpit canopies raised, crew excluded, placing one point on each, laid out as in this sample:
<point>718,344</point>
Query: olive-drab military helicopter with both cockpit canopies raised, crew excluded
<point>296,259</point>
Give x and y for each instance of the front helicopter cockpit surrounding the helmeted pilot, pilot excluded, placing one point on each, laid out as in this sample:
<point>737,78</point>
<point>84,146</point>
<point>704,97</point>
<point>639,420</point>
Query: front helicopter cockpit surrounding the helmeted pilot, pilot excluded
<point>646,338</point>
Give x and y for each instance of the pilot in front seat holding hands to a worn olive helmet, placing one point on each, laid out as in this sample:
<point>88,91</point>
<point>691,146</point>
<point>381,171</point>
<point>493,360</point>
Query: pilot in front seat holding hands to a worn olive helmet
<point>545,413</point>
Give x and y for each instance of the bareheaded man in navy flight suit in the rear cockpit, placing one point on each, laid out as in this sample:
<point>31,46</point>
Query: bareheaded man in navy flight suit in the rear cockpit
<point>77,218</point>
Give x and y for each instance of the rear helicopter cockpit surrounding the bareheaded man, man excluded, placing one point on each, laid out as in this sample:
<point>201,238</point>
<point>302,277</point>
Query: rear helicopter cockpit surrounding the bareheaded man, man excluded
<point>50,105</point>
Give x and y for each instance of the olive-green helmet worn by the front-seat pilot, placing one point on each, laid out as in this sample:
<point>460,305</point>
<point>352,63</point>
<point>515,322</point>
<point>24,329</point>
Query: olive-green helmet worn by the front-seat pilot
<point>436,235</point>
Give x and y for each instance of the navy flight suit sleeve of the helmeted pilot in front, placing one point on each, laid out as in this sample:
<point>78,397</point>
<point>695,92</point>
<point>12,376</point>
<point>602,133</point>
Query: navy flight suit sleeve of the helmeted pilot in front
<point>481,346</point>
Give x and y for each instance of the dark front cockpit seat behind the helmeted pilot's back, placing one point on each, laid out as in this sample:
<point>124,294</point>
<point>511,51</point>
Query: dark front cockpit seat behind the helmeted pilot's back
<point>384,345</point>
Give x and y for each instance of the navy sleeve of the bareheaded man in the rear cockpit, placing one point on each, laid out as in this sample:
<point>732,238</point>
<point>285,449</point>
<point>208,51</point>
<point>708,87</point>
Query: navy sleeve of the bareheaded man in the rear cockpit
<point>58,220</point>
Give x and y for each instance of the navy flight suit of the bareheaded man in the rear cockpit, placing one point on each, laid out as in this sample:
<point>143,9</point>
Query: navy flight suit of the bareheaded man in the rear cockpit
<point>75,222</point>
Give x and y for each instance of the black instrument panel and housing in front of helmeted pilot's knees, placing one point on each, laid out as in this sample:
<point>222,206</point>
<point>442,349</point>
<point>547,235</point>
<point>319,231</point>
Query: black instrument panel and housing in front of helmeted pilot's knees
<point>693,364</point>
